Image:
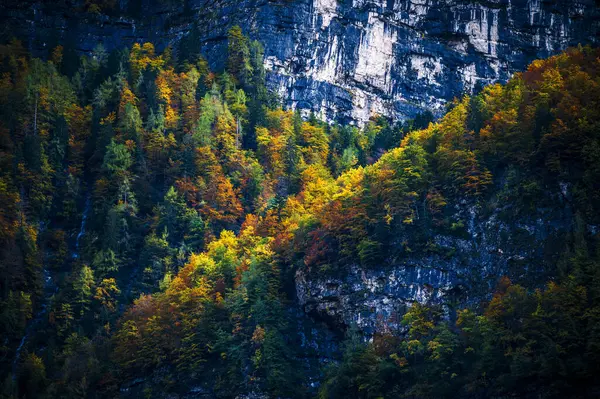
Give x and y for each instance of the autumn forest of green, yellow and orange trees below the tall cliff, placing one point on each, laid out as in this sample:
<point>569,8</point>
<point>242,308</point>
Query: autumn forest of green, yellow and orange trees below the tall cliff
<point>156,219</point>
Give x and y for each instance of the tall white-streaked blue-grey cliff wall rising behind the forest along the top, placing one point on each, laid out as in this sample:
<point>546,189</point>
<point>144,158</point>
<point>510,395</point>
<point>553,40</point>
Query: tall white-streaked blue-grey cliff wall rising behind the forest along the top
<point>343,59</point>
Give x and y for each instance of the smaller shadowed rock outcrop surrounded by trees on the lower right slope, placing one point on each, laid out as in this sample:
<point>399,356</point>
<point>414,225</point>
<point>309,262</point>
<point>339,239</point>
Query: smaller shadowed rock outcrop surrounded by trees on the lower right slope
<point>460,268</point>
